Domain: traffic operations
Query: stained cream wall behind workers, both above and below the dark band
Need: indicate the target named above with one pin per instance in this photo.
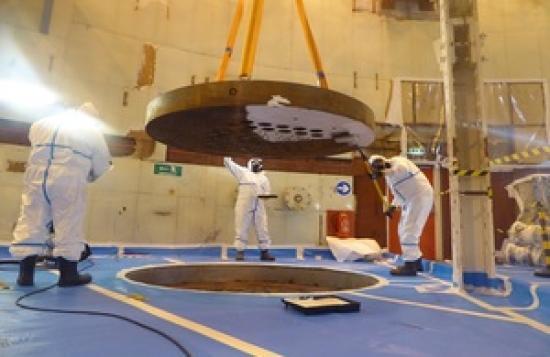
(93, 52)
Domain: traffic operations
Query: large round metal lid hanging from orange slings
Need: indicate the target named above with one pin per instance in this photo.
(260, 118)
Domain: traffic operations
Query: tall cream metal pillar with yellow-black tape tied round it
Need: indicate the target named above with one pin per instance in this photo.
(471, 210)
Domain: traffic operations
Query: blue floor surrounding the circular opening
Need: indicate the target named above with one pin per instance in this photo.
(422, 316)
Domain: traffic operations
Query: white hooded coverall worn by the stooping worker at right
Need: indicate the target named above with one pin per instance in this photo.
(413, 192)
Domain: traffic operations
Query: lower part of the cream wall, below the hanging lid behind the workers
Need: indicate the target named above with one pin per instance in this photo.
(131, 204)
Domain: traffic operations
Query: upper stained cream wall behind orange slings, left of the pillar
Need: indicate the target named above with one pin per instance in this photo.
(94, 47)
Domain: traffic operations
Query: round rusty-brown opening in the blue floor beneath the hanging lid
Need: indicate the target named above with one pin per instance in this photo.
(250, 278)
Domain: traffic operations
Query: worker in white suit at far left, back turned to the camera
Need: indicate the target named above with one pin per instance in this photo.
(68, 151)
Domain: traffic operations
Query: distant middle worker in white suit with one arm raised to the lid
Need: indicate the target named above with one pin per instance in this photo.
(249, 207)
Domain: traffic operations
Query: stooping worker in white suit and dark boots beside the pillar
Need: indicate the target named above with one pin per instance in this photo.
(414, 194)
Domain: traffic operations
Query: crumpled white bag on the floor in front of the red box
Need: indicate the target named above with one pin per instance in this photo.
(351, 249)
